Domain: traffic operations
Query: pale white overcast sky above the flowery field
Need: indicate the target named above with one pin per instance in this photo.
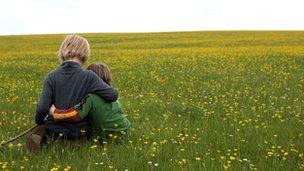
(78, 16)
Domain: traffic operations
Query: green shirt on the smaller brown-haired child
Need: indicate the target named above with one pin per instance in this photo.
(104, 116)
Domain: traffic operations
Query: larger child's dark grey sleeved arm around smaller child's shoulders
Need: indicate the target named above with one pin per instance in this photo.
(100, 88)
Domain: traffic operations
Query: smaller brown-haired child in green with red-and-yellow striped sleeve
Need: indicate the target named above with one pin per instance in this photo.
(107, 119)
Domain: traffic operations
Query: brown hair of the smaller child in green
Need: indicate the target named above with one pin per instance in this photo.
(103, 71)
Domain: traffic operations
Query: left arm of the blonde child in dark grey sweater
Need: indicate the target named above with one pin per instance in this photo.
(45, 101)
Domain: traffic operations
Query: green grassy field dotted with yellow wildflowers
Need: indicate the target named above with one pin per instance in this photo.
(196, 100)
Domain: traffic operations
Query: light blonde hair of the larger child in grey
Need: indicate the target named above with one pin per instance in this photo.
(74, 46)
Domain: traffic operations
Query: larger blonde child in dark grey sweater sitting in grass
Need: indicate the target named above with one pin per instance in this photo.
(65, 87)
